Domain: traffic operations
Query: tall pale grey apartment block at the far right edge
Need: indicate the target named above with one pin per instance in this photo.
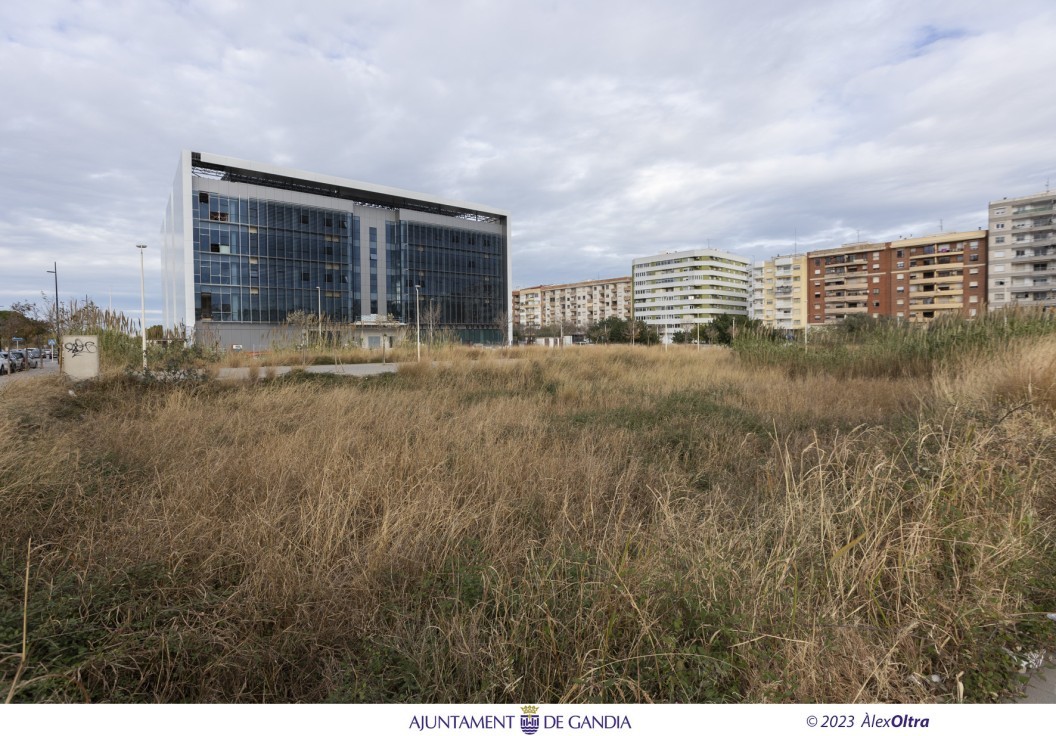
(1023, 252)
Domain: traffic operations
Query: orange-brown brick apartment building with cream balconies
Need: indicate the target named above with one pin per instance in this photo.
(915, 279)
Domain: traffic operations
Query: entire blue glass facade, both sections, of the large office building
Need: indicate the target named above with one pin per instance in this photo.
(258, 261)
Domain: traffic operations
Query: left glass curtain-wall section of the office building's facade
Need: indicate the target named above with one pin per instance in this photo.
(257, 261)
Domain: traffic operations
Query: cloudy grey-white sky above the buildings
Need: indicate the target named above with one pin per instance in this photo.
(610, 130)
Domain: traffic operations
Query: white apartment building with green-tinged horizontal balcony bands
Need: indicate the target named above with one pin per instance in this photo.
(676, 291)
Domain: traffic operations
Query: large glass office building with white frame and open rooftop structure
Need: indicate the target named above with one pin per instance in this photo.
(246, 246)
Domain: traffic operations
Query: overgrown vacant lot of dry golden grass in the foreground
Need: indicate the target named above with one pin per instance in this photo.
(583, 525)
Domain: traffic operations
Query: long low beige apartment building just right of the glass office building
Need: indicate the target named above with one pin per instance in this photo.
(582, 304)
